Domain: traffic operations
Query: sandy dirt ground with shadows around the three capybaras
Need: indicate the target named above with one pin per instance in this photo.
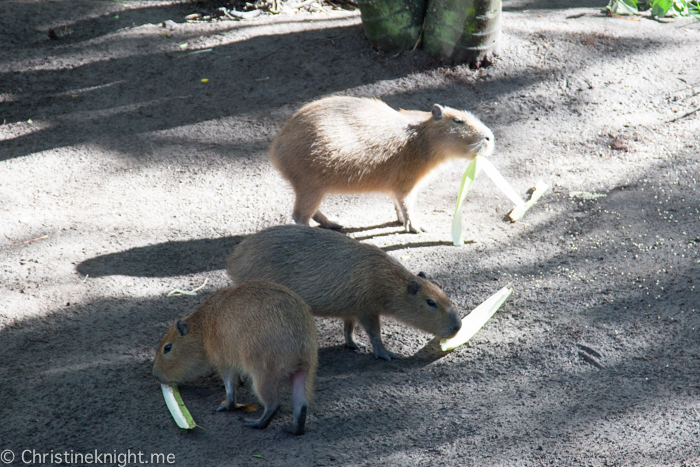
(123, 176)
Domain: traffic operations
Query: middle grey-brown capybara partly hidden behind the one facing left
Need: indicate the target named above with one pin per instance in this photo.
(343, 278)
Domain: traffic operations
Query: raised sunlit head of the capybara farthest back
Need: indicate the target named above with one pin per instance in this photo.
(460, 134)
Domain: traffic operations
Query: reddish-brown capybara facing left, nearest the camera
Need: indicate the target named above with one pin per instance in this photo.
(257, 329)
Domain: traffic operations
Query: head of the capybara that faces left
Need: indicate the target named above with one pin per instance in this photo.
(180, 356)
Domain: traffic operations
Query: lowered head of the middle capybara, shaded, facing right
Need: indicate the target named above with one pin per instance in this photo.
(425, 306)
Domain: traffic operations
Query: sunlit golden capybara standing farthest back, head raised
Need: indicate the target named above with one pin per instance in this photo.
(358, 145)
